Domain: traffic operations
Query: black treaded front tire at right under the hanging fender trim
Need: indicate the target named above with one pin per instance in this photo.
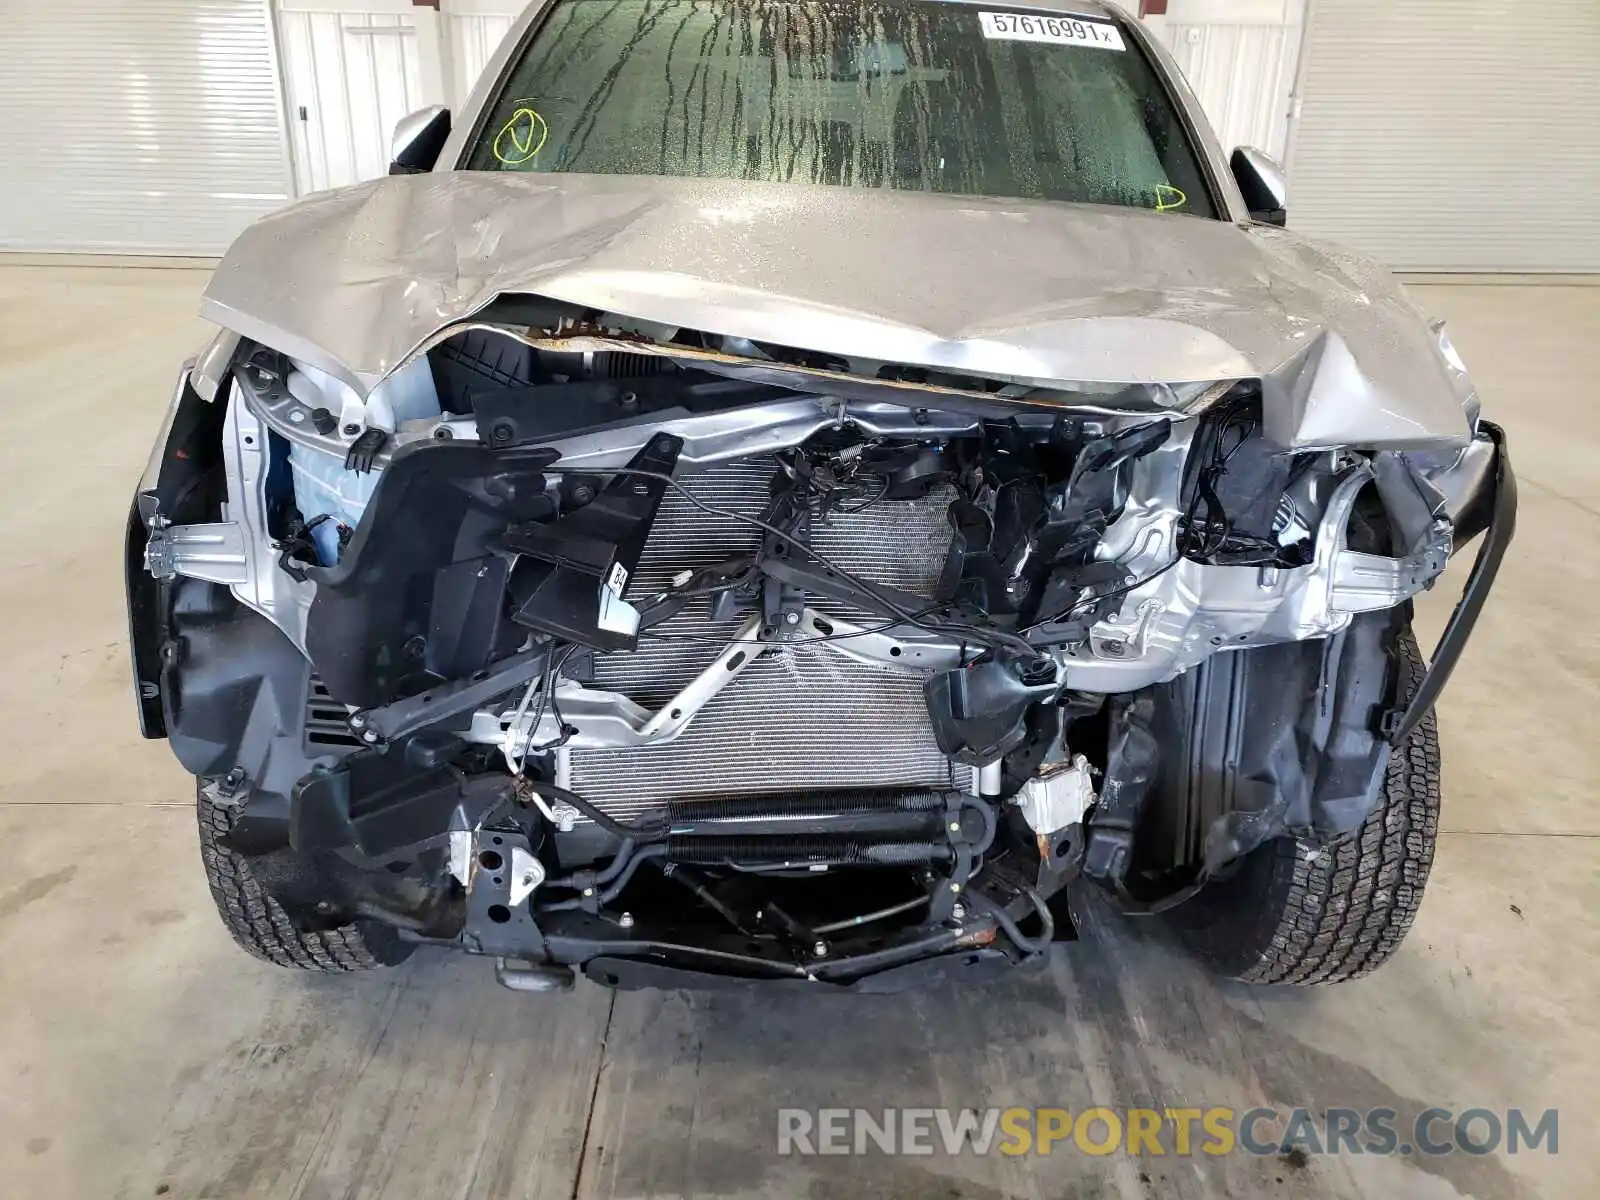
(1303, 914)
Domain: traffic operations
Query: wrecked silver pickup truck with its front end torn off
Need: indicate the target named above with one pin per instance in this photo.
(786, 492)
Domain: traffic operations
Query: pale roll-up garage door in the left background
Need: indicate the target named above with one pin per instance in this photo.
(138, 126)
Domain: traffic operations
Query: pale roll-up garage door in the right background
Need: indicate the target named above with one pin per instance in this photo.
(1454, 135)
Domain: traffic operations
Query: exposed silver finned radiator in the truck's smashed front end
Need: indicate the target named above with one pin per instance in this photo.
(799, 719)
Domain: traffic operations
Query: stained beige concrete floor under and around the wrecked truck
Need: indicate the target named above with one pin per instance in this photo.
(145, 1055)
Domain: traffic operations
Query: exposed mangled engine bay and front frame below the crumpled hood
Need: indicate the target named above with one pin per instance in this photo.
(610, 652)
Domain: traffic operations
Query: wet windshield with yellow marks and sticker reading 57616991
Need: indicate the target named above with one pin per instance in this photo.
(911, 97)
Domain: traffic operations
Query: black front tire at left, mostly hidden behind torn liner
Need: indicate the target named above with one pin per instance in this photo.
(265, 929)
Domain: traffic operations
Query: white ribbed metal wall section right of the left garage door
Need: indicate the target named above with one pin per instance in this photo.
(350, 79)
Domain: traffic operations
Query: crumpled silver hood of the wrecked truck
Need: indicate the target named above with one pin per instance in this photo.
(354, 281)
